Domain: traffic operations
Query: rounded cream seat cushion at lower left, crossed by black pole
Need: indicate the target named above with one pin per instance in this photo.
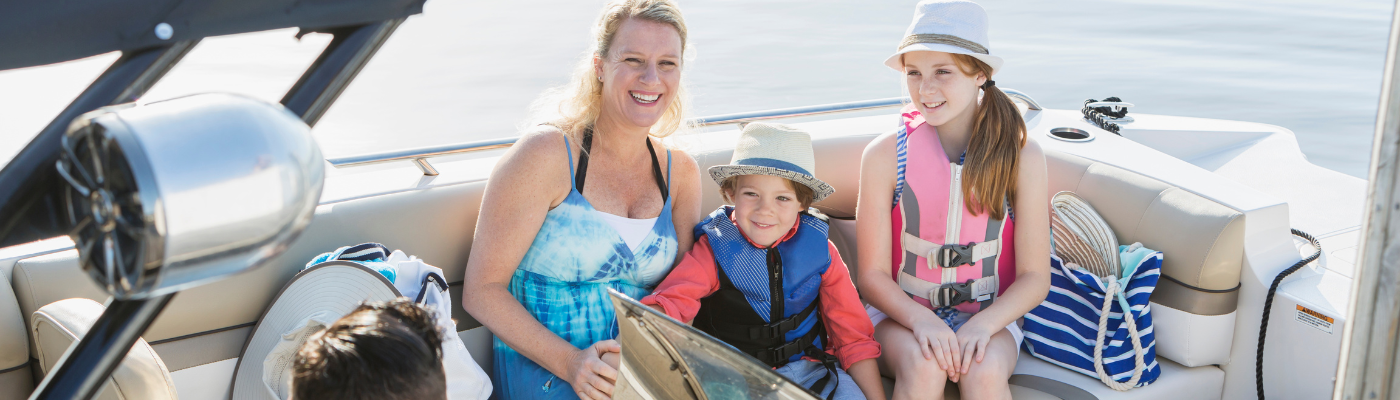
(59, 325)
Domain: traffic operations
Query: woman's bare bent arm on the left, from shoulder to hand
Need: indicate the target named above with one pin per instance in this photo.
(510, 217)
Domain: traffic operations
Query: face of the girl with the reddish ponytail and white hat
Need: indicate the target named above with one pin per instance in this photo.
(940, 89)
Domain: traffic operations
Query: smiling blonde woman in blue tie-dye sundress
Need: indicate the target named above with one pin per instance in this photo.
(586, 203)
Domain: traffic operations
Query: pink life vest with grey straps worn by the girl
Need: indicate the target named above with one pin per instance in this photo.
(933, 229)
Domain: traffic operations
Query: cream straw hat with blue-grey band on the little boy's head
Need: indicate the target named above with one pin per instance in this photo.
(779, 150)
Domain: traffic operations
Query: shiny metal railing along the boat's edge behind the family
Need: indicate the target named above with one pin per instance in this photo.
(421, 156)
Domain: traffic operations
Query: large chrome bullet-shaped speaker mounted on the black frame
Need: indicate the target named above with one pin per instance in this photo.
(183, 192)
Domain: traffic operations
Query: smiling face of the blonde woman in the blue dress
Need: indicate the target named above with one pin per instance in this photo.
(640, 73)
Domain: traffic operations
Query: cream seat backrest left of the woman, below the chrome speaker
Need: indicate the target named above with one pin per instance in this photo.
(212, 322)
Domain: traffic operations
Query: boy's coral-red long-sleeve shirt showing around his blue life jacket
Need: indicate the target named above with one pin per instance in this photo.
(850, 335)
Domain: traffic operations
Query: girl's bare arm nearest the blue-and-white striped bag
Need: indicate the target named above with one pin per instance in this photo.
(1032, 247)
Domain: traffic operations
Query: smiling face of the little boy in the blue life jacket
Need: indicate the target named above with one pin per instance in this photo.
(765, 208)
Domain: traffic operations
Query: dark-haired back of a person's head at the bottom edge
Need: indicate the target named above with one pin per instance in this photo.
(381, 350)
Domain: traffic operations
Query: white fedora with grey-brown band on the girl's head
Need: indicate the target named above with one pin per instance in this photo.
(951, 27)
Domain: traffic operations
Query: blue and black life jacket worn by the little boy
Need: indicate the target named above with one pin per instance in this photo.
(768, 300)
